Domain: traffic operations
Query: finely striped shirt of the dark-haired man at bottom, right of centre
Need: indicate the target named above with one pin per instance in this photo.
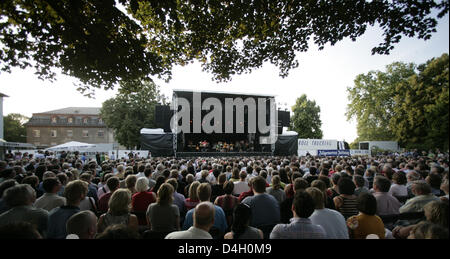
(298, 228)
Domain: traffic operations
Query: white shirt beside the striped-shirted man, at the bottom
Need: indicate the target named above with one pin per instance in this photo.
(332, 222)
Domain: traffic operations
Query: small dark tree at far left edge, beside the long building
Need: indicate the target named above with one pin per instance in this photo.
(14, 129)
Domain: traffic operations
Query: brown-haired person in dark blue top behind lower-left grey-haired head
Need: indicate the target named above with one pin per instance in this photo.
(74, 192)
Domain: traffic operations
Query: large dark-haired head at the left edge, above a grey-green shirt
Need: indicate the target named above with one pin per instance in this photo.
(19, 195)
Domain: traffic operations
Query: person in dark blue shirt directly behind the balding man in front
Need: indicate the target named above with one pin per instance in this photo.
(204, 194)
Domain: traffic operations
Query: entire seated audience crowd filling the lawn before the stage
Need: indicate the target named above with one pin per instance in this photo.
(395, 196)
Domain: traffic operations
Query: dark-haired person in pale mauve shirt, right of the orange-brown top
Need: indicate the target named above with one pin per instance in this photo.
(386, 203)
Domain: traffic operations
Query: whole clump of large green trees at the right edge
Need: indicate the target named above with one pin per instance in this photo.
(407, 103)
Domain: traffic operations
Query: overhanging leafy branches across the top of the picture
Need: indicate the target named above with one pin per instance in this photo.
(101, 45)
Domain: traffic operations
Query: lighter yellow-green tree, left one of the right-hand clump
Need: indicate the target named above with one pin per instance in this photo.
(371, 100)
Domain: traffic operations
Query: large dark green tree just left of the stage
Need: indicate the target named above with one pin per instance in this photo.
(129, 112)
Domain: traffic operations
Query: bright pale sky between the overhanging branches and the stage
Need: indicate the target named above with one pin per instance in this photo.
(323, 76)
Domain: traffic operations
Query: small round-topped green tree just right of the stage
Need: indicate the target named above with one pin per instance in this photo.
(306, 119)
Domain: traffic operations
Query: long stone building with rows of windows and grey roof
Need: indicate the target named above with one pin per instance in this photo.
(82, 124)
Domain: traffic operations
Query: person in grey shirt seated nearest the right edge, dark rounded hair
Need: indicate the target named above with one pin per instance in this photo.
(423, 195)
